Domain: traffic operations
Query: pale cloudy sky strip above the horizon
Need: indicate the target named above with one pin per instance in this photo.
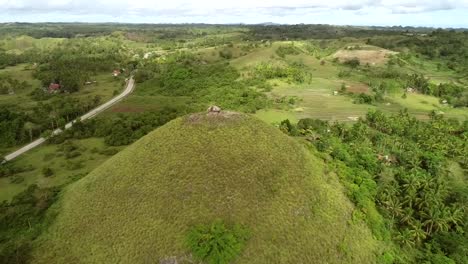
(435, 13)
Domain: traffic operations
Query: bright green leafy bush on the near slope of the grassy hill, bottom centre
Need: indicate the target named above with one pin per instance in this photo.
(215, 243)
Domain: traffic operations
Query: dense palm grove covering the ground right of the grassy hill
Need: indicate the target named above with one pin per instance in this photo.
(396, 170)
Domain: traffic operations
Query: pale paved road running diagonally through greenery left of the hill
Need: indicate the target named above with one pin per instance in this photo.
(90, 114)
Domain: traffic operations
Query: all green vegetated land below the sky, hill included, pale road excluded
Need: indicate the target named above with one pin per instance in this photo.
(379, 174)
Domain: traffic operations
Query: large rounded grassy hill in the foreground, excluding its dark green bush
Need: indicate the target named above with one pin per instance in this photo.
(138, 206)
